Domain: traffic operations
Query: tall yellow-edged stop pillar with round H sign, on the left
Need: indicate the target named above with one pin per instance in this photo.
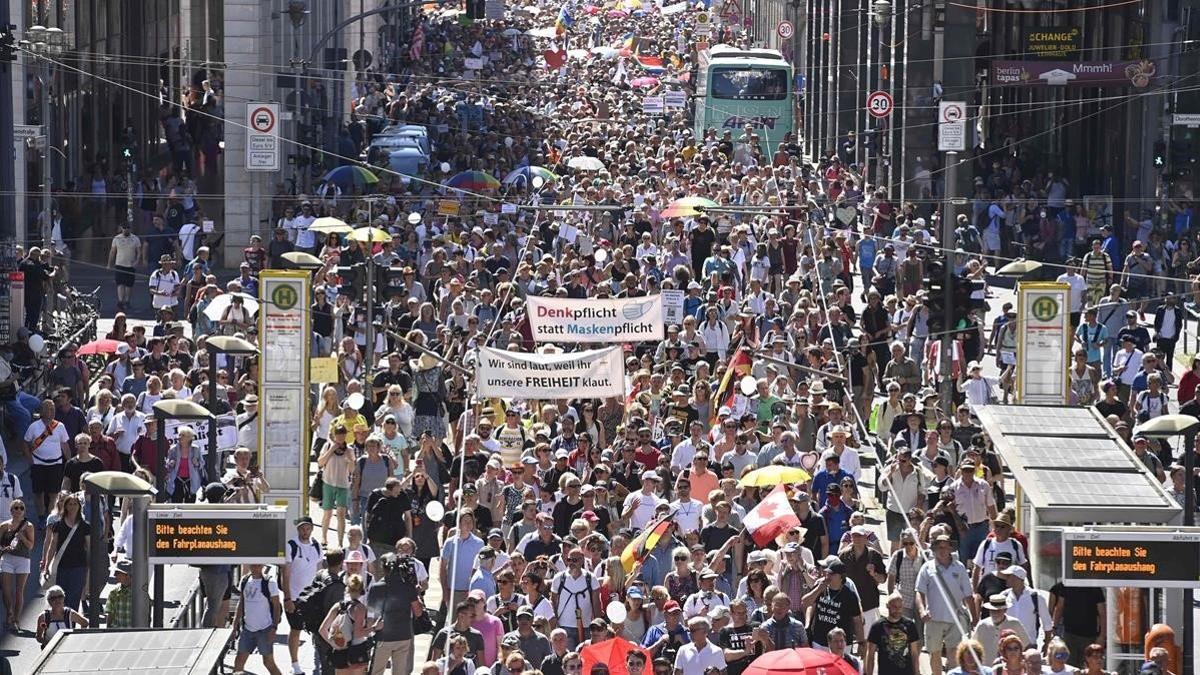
(286, 338)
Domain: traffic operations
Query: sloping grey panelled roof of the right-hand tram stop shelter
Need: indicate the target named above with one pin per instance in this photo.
(1075, 469)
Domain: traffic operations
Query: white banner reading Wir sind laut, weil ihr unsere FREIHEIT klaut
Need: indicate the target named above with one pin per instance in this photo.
(593, 374)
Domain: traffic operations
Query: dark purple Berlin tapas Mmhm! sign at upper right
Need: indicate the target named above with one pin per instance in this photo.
(1075, 74)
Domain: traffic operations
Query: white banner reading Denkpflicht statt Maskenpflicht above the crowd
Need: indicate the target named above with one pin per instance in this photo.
(619, 320)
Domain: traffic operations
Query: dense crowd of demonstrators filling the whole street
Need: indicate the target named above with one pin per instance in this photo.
(805, 343)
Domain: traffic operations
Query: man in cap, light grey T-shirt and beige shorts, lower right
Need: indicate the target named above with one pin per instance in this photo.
(940, 605)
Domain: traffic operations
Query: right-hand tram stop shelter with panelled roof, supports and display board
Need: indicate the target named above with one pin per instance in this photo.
(1097, 517)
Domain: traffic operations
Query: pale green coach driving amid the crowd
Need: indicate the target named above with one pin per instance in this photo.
(746, 87)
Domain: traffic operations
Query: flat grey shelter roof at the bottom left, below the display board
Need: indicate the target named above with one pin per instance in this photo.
(183, 652)
